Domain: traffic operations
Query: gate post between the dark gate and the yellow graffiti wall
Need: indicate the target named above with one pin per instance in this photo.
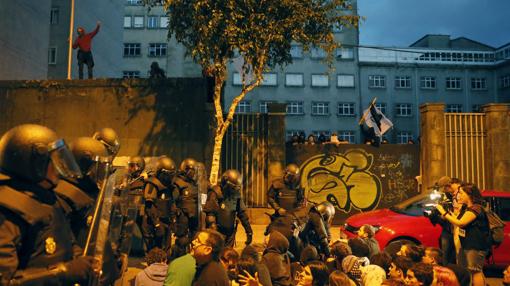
(276, 140)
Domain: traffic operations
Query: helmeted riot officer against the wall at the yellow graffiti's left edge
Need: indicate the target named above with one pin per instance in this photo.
(286, 194)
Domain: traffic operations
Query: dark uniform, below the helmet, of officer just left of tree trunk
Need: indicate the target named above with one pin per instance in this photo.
(186, 201)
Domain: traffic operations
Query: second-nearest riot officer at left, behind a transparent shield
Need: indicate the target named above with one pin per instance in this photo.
(80, 195)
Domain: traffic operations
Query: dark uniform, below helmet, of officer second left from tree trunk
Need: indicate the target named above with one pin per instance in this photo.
(159, 219)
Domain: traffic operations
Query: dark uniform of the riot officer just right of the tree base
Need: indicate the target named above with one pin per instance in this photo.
(222, 208)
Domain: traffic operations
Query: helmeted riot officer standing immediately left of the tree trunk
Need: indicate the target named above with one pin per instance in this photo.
(186, 199)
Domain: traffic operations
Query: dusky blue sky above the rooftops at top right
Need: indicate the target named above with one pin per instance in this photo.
(401, 22)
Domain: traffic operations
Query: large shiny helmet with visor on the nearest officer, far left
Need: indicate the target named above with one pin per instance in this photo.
(26, 152)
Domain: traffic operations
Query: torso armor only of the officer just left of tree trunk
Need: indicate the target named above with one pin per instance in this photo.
(187, 200)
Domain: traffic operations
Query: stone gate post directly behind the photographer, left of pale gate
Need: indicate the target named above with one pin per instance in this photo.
(432, 143)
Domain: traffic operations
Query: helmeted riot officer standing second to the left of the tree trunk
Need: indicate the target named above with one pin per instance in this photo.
(159, 205)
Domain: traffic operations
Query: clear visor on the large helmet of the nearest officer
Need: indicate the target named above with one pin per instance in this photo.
(63, 160)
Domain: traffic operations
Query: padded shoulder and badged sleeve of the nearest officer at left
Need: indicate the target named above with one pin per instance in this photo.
(47, 240)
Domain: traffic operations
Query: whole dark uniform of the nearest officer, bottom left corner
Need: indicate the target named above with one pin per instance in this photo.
(34, 233)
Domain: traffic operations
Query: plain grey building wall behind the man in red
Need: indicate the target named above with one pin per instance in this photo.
(106, 45)
